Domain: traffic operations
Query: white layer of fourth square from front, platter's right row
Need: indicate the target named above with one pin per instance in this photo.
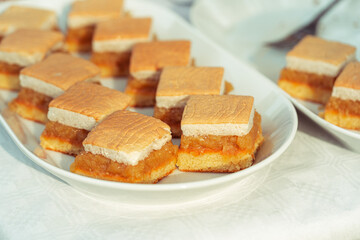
(117, 45)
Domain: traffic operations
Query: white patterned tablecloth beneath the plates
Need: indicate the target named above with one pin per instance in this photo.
(312, 192)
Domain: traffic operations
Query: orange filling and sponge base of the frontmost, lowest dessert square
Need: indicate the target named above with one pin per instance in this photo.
(158, 164)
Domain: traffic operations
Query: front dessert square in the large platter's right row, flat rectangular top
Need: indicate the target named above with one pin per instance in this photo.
(220, 134)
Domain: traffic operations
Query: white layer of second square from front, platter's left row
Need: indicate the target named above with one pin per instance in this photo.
(71, 119)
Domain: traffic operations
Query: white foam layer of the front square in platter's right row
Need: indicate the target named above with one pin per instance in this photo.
(224, 129)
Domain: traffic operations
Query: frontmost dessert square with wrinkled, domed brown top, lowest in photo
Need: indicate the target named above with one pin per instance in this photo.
(127, 147)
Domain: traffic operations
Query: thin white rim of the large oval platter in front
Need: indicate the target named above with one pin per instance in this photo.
(169, 186)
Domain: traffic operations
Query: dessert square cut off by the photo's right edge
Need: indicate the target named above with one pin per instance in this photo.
(343, 108)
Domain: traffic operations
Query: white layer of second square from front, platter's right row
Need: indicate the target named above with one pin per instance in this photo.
(179, 101)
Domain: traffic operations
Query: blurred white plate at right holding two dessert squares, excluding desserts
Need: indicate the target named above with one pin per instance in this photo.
(248, 43)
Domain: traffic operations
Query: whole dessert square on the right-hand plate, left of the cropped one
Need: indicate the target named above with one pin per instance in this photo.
(312, 67)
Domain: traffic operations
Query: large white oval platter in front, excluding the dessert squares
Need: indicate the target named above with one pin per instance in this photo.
(279, 122)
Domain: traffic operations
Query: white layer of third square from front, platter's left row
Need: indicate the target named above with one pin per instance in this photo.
(44, 87)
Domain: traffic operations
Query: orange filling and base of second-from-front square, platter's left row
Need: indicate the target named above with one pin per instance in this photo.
(62, 138)
